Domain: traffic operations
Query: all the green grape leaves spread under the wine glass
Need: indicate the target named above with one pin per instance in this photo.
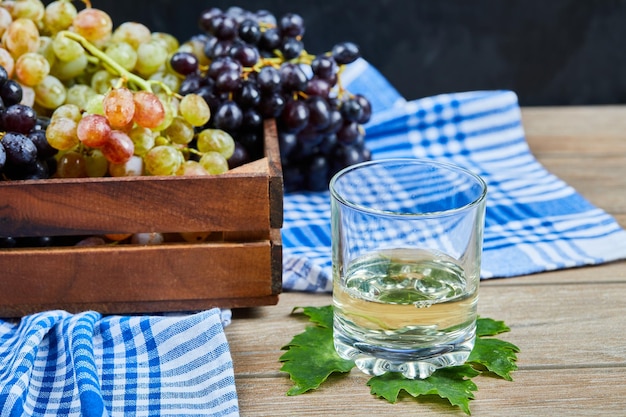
(310, 358)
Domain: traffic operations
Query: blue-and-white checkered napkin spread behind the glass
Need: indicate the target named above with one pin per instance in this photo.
(535, 222)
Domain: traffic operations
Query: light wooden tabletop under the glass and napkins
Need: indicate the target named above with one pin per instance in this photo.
(570, 325)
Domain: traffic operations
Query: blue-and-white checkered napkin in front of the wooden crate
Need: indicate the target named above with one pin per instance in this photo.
(59, 364)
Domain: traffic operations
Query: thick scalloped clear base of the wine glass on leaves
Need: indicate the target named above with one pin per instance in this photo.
(417, 363)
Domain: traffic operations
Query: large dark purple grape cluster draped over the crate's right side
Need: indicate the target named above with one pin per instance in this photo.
(253, 66)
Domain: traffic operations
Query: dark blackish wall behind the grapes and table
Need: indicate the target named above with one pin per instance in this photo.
(550, 52)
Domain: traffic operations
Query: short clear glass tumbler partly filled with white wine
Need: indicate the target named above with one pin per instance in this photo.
(407, 240)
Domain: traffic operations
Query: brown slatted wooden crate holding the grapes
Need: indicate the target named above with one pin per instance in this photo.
(242, 268)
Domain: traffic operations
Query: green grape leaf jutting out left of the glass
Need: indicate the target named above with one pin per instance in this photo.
(311, 357)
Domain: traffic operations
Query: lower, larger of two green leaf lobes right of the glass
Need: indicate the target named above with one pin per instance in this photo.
(495, 355)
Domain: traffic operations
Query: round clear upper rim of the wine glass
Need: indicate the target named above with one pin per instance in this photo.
(417, 161)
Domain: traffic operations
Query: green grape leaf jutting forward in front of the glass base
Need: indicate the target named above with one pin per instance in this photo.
(453, 384)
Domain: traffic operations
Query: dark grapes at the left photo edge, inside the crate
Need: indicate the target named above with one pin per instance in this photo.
(24, 150)
